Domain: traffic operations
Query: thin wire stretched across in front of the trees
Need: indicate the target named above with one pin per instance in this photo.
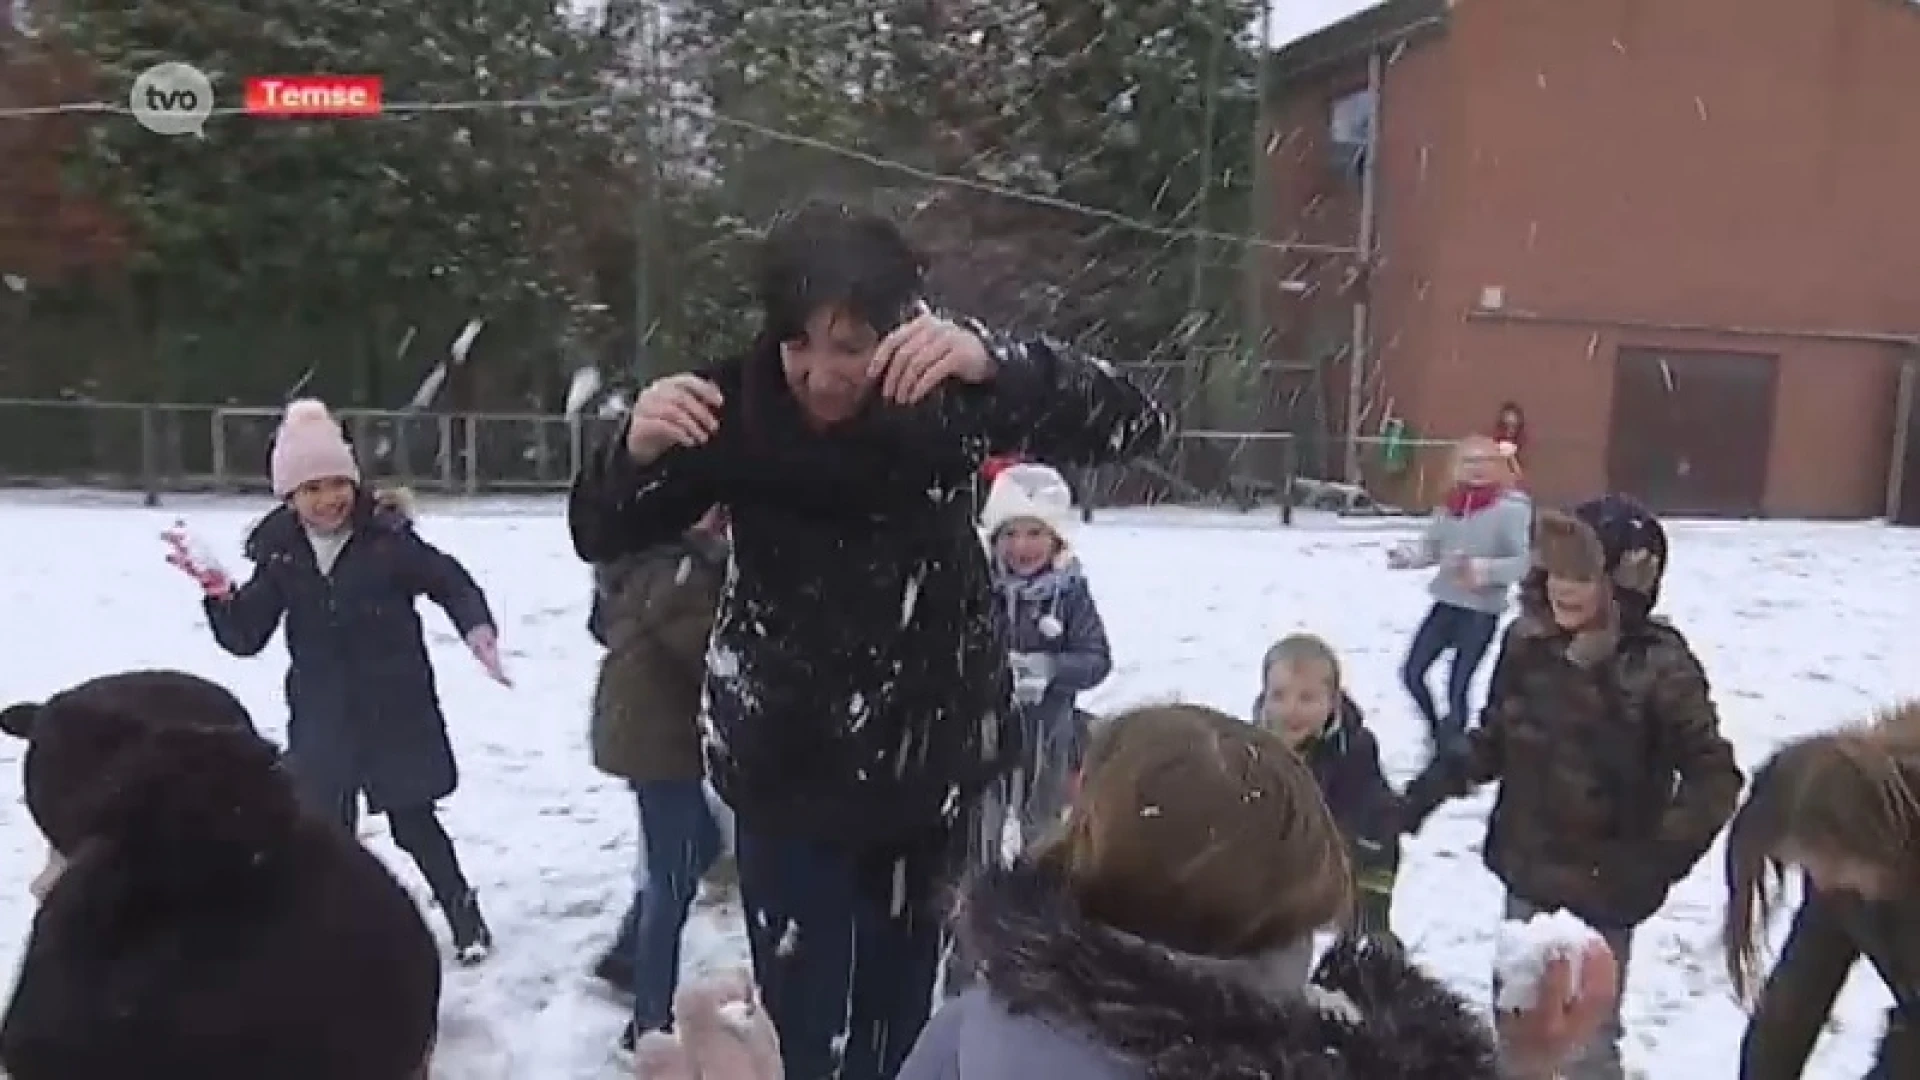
(777, 135)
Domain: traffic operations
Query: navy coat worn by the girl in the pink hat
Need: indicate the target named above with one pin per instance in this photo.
(364, 708)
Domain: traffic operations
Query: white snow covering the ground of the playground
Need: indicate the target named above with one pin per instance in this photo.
(1798, 626)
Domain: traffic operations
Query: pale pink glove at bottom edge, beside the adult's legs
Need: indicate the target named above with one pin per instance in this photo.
(721, 1033)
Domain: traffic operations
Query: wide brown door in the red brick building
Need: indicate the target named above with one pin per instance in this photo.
(1692, 430)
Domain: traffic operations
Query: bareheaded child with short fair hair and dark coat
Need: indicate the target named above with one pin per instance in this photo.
(1303, 702)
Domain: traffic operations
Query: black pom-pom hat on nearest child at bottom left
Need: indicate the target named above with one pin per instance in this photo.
(206, 927)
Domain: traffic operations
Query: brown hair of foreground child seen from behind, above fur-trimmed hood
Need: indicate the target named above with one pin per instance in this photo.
(1203, 835)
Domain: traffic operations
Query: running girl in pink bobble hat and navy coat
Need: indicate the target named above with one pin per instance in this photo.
(341, 570)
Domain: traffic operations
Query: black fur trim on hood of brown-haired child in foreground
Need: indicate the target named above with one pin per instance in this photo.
(1366, 1016)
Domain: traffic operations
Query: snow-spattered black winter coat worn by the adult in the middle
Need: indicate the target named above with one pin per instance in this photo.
(859, 681)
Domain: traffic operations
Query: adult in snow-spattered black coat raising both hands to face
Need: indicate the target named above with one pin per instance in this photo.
(859, 677)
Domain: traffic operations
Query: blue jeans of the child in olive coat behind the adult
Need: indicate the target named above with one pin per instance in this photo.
(683, 843)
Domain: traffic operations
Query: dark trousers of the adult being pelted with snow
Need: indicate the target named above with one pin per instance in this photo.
(846, 945)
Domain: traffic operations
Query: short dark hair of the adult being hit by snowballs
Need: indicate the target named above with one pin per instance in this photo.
(832, 257)
